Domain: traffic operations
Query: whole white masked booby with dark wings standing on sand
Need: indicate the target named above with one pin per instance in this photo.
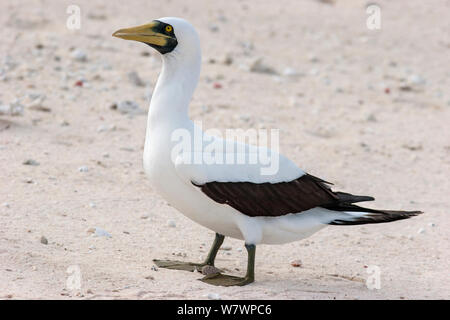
(233, 199)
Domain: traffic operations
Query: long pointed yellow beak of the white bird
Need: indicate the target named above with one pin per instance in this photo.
(147, 33)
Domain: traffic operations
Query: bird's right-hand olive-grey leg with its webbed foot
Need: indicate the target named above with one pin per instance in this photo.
(227, 281)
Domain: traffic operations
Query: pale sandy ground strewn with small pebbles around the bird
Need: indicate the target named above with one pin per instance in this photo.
(366, 109)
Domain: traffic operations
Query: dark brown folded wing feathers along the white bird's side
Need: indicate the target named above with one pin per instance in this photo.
(278, 199)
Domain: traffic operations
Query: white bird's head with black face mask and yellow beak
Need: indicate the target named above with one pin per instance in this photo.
(166, 35)
